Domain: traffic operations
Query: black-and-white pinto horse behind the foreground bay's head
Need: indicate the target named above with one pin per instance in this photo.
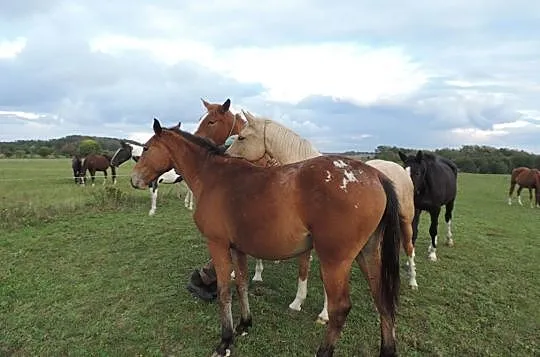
(133, 151)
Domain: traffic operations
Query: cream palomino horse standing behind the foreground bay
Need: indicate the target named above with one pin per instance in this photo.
(264, 136)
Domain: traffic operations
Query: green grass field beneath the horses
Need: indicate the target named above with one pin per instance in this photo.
(84, 271)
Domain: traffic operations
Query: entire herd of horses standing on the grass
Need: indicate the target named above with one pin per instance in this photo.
(291, 200)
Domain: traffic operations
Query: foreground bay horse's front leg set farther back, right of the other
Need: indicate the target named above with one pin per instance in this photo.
(240, 265)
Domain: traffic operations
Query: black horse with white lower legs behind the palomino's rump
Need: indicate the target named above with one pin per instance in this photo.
(435, 185)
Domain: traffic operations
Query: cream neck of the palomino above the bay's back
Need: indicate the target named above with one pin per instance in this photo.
(285, 146)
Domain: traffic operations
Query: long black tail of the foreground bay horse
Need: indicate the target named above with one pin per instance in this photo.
(390, 224)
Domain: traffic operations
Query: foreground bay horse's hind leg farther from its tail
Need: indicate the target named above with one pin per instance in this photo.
(336, 284)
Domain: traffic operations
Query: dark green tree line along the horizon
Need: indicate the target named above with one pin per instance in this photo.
(469, 158)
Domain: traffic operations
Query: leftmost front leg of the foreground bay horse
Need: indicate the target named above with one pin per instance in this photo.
(221, 256)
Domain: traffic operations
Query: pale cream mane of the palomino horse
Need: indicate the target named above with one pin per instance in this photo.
(291, 145)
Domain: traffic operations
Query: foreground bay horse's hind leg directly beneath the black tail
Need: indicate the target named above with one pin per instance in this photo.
(370, 264)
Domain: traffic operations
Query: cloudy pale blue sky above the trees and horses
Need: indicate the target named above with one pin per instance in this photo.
(348, 75)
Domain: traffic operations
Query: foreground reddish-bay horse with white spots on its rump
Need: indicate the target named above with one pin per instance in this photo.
(353, 216)
